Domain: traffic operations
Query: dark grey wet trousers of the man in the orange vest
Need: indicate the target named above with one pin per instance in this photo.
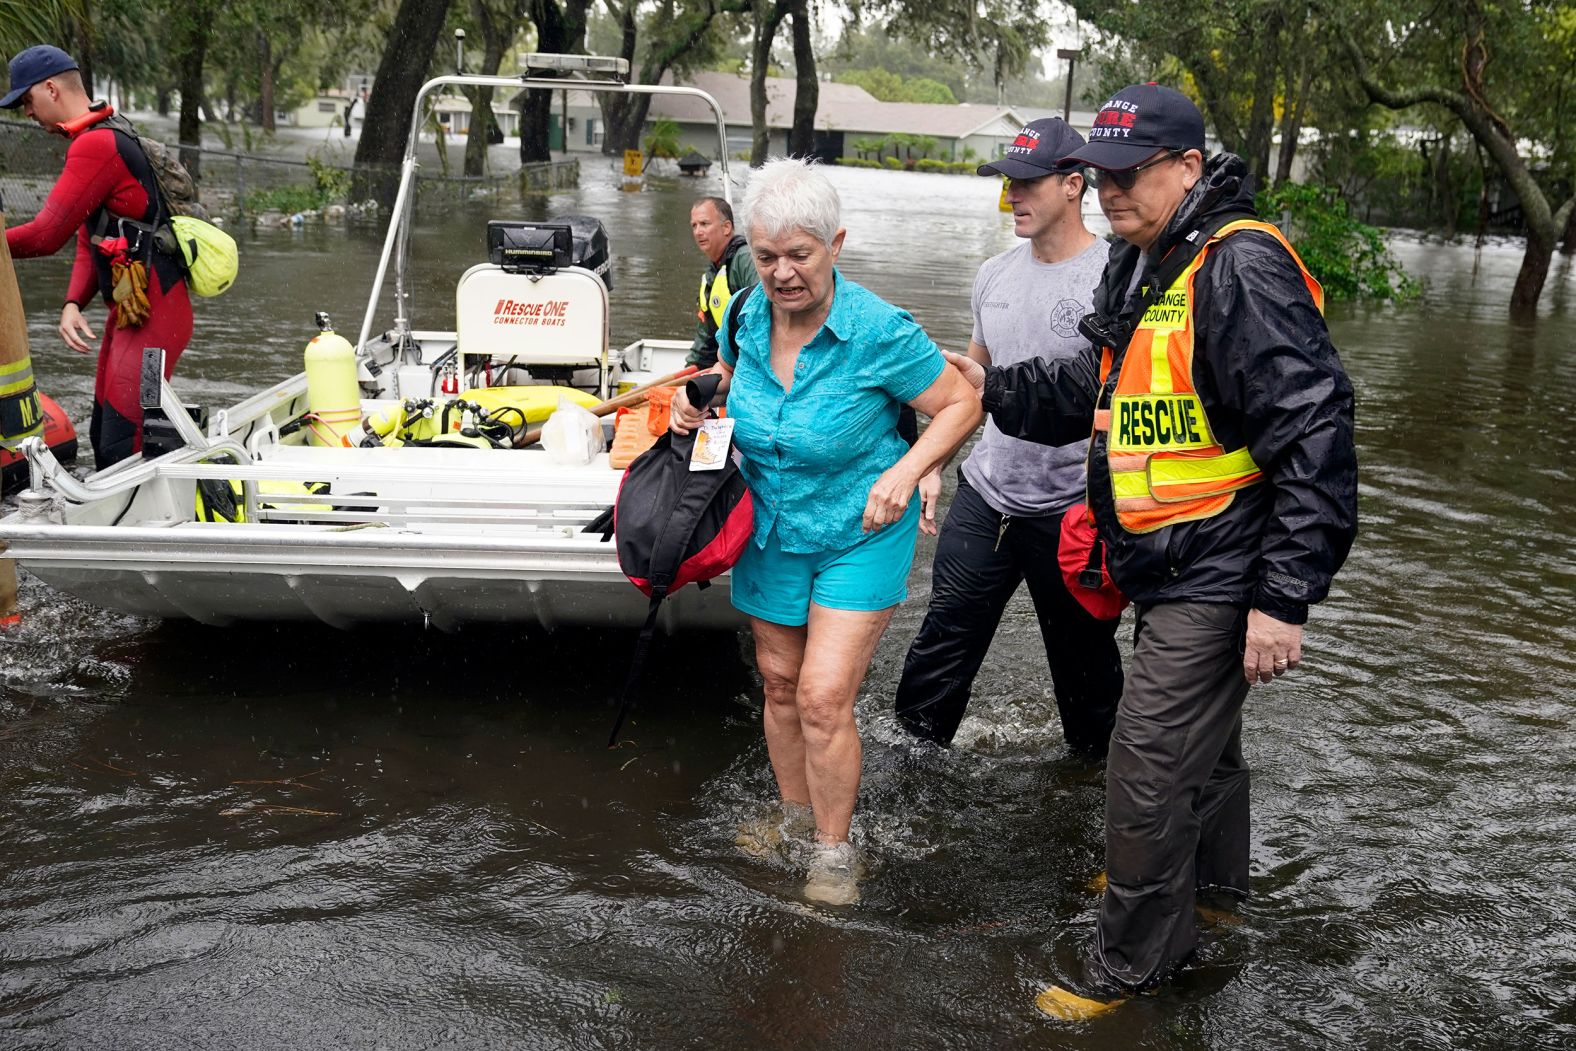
(1176, 812)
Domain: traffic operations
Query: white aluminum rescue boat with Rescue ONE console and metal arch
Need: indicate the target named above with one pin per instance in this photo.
(283, 511)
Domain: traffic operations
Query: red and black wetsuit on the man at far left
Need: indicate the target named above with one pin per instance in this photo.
(108, 177)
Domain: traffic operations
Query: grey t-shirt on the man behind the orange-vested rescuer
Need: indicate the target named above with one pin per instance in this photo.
(1027, 310)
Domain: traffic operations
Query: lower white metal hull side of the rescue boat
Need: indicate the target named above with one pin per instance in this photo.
(278, 574)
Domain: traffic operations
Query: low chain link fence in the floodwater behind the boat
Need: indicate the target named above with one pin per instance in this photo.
(250, 187)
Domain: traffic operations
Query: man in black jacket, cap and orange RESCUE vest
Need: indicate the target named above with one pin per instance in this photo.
(1224, 486)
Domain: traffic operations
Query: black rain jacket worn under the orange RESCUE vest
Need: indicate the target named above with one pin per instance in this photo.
(1269, 379)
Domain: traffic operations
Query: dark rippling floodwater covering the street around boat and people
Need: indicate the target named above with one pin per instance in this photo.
(272, 837)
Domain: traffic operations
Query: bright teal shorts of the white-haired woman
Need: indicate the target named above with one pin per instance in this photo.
(779, 585)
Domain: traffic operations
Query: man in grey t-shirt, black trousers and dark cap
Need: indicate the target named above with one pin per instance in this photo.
(1005, 524)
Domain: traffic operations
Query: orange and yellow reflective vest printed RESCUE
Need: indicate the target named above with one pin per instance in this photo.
(1165, 464)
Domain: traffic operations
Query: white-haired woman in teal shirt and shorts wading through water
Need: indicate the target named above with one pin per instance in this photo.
(816, 377)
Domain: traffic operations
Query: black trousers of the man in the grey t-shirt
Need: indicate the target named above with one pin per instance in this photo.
(981, 560)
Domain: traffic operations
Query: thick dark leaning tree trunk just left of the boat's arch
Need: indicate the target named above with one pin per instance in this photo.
(385, 127)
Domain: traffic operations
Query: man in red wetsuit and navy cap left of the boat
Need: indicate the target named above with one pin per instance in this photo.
(106, 179)
